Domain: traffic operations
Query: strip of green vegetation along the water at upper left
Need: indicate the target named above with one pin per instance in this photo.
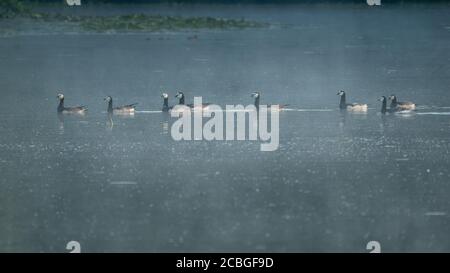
(124, 23)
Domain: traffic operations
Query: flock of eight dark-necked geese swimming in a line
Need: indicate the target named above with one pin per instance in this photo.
(395, 106)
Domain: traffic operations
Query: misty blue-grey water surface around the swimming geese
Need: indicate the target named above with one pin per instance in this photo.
(337, 181)
